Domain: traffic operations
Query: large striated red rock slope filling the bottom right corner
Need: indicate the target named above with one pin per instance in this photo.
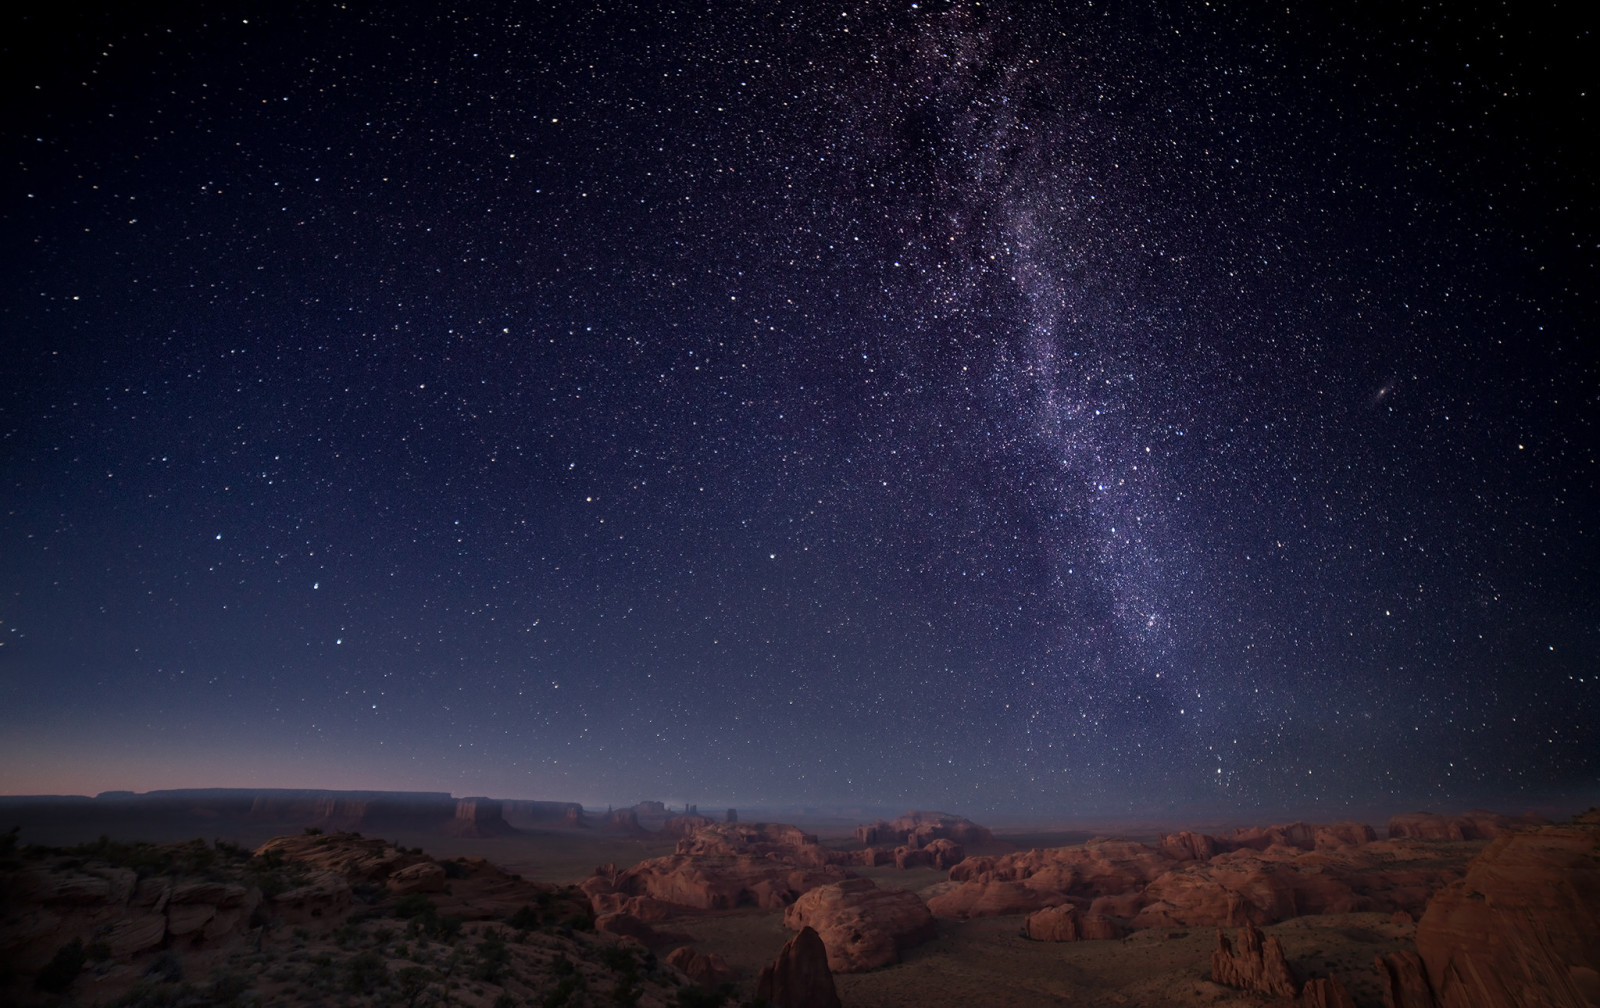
(1524, 926)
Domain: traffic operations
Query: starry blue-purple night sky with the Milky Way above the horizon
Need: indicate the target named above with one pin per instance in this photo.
(1132, 410)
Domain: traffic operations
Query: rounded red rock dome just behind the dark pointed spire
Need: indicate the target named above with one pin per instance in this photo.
(862, 926)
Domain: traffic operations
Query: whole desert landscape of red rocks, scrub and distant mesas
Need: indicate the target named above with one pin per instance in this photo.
(498, 905)
